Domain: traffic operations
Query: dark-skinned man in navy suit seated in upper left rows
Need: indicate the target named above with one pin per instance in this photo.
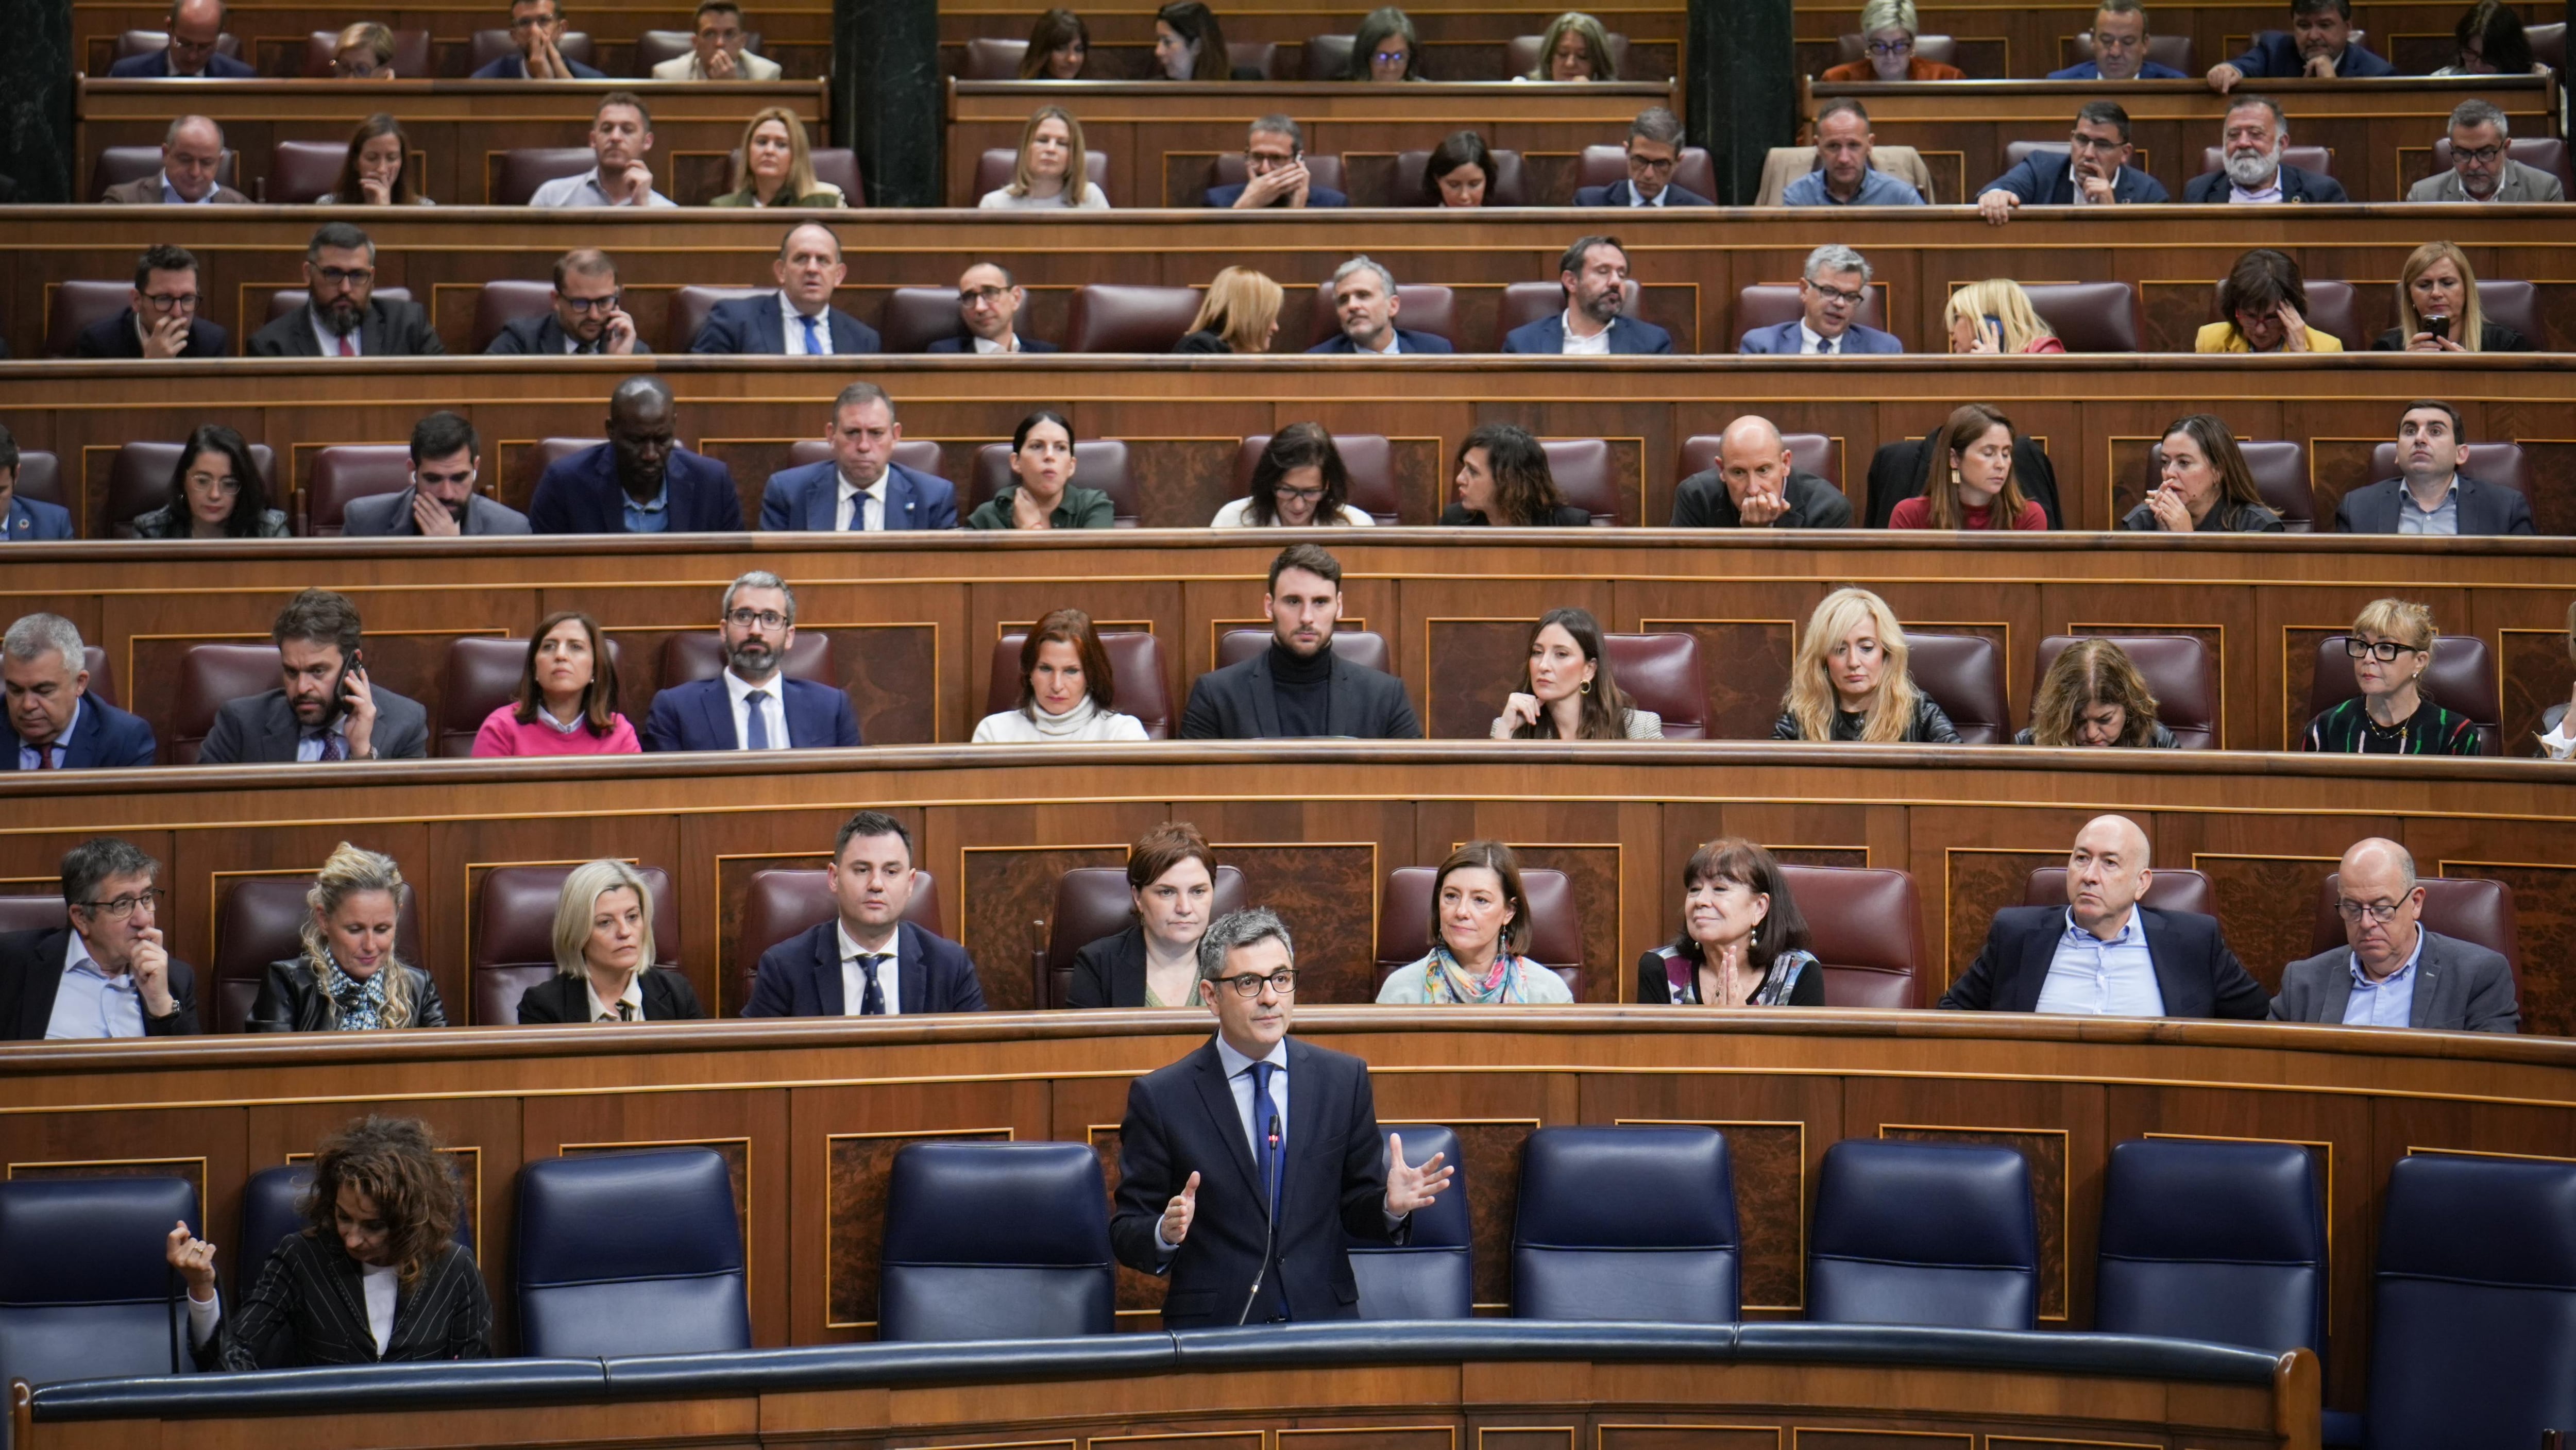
(640, 480)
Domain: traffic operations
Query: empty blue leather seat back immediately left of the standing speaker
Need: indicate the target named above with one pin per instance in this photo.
(998, 1243)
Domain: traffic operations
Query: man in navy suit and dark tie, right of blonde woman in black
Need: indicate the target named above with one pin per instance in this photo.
(867, 962)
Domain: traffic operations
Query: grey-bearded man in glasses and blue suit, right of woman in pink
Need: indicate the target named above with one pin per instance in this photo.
(753, 704)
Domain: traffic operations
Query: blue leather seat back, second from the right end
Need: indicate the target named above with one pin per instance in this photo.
(2222, 1243)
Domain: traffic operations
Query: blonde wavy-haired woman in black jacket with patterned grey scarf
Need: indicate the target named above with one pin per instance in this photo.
(349, 977)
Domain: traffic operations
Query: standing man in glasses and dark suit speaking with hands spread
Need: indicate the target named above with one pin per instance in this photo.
(1245, 1163)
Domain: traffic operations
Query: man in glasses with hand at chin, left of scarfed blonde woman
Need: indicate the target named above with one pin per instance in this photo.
(107, 975)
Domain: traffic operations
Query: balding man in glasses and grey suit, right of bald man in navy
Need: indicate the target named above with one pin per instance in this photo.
(2394, 972)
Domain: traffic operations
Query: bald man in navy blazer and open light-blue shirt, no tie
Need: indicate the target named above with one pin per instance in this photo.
(2106, 954)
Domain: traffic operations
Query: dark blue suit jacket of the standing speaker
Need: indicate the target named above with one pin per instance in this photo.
(1333, 1194)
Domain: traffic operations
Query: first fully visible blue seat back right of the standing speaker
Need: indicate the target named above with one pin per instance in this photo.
(1627, 1225)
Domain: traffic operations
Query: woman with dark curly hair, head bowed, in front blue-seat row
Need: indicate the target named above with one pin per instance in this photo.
(372, 1276)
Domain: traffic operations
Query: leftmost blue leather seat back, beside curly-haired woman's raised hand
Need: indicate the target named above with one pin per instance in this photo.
(84, 1284)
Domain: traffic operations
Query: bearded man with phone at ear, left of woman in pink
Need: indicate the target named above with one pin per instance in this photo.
(326, 710)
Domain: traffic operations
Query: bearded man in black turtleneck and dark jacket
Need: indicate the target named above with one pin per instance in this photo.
(1300, 686)
